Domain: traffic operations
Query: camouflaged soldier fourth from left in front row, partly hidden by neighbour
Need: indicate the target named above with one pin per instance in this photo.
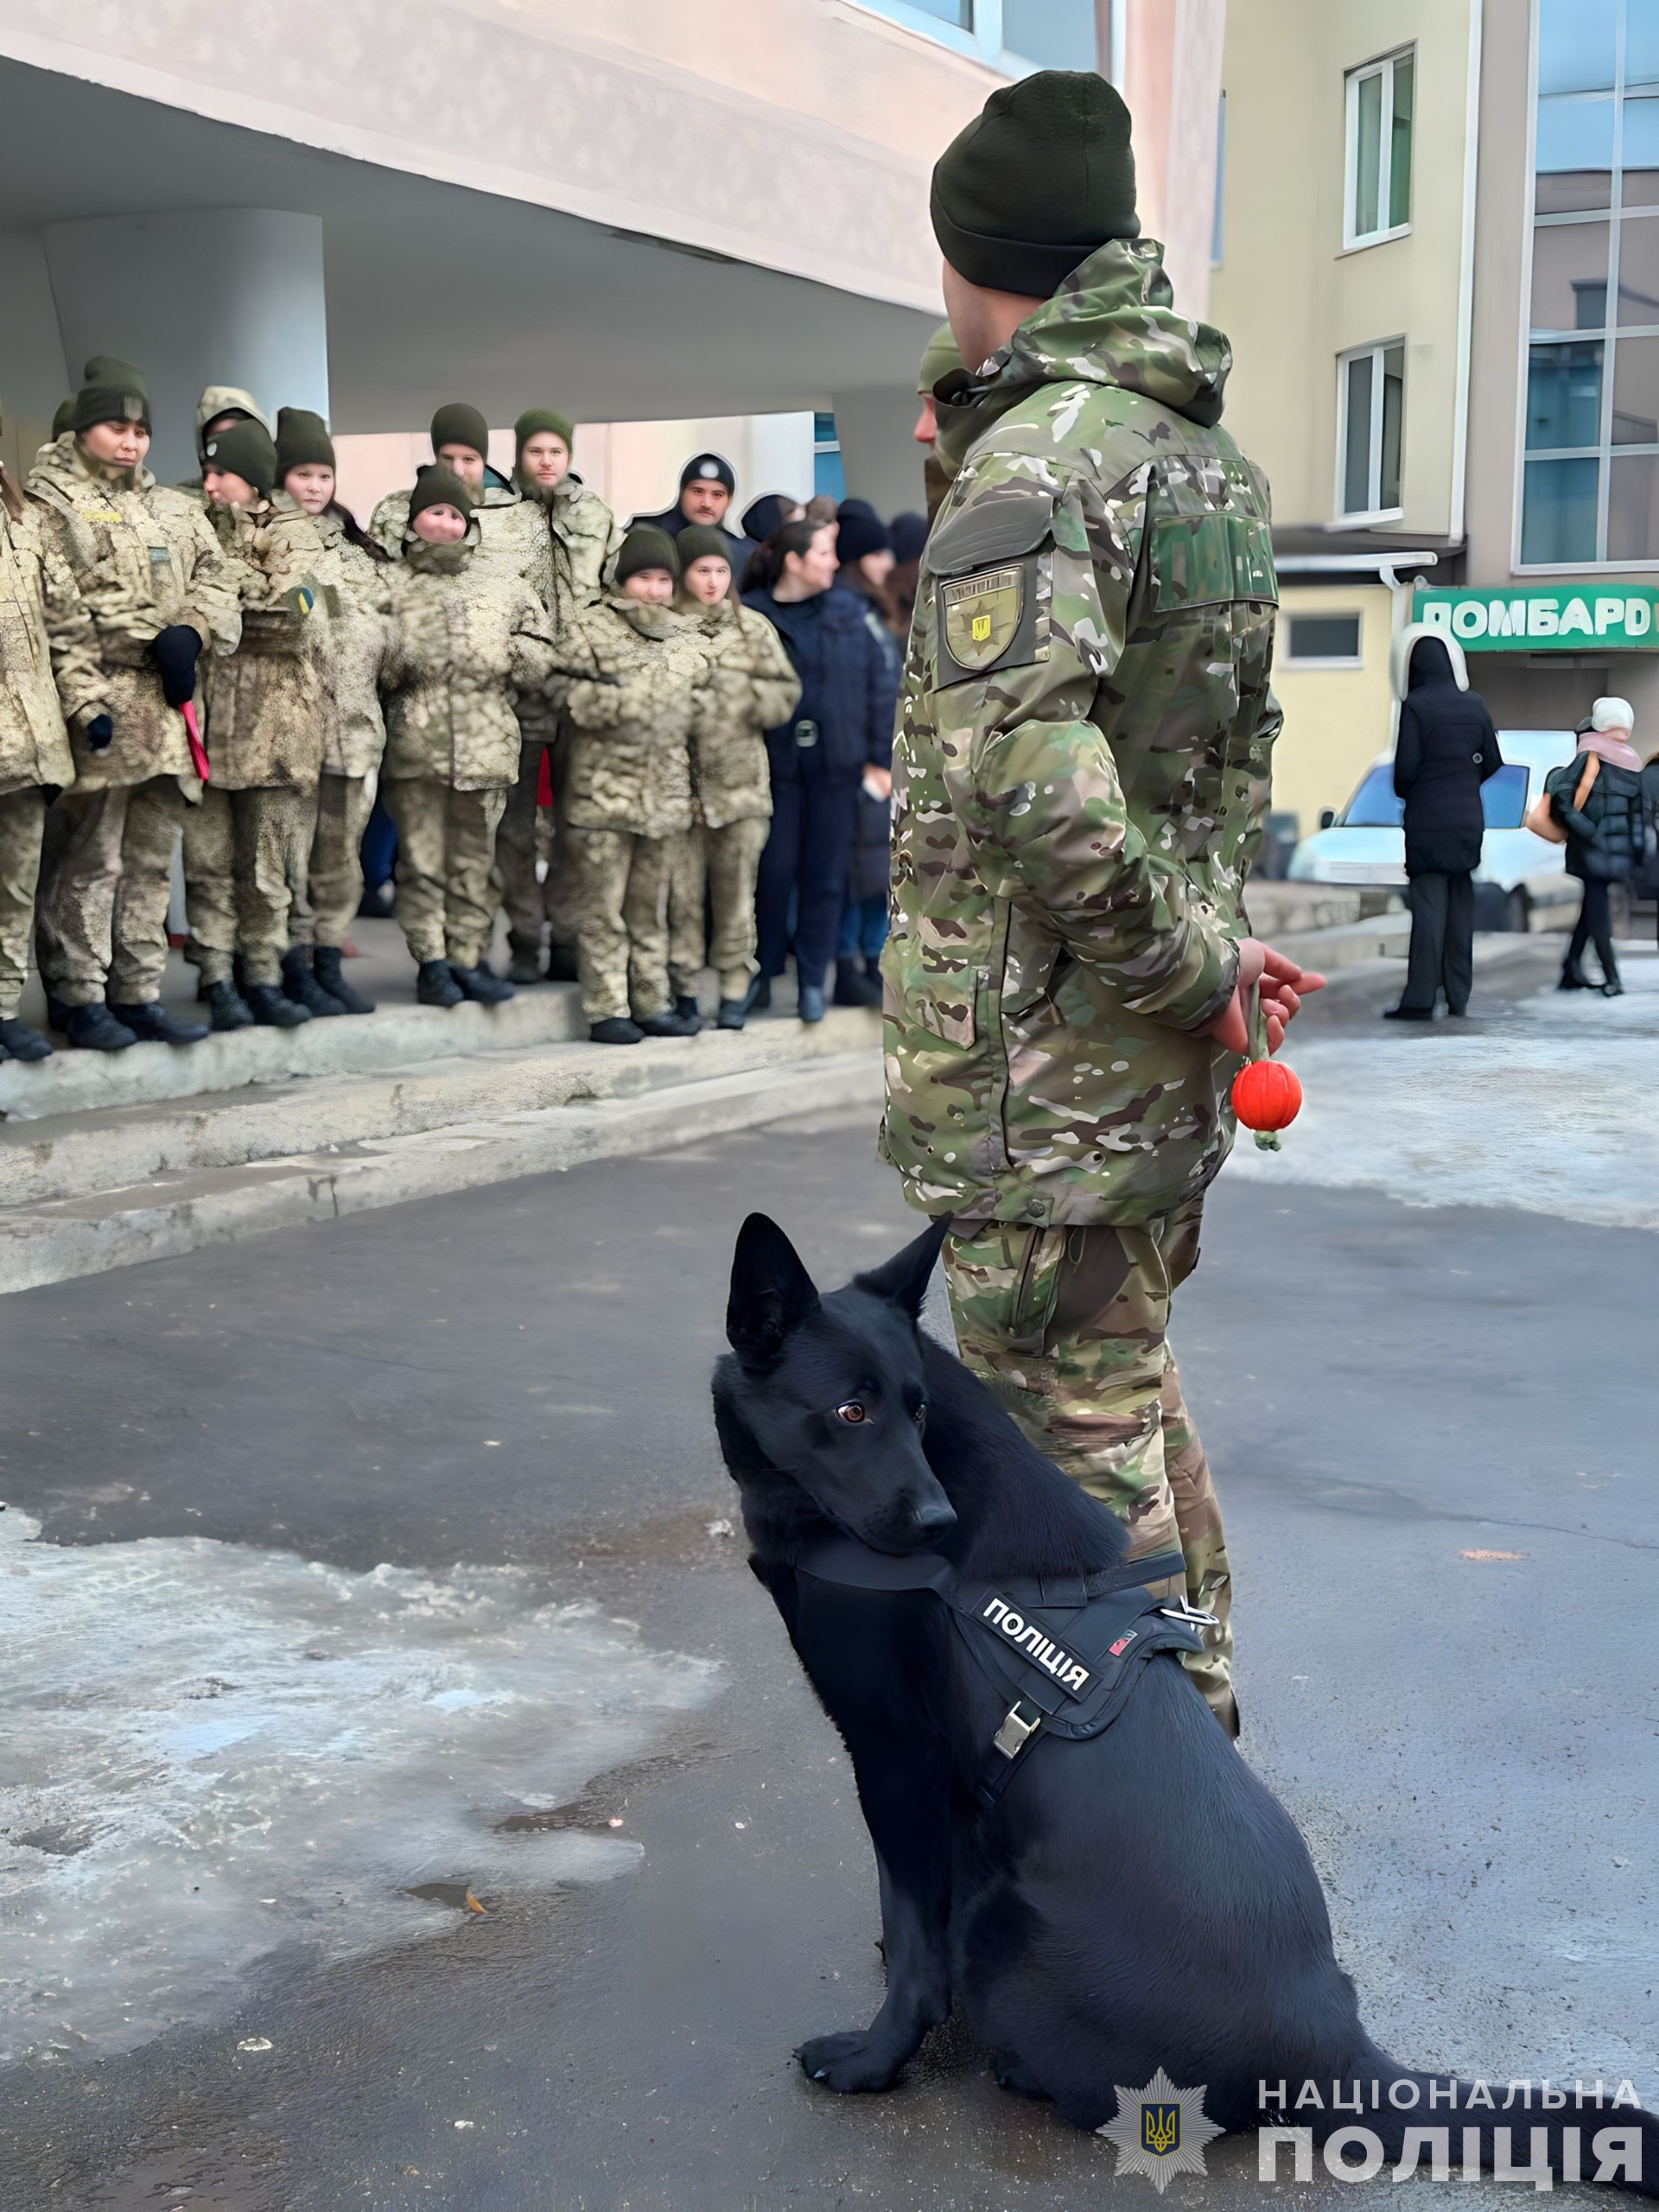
(357, 609)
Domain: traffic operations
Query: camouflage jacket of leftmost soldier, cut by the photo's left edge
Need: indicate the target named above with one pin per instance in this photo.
(34, 742)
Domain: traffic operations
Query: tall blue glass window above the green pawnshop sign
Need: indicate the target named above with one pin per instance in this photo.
(1592, 455)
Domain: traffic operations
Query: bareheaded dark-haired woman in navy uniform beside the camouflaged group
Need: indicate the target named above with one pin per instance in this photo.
(839, 733)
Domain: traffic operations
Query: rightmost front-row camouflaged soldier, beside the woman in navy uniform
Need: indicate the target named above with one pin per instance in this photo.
(751, 689)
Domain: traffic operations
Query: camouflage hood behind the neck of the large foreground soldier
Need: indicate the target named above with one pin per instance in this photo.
(1109, 324)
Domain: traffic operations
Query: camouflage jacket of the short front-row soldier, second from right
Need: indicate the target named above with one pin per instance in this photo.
(632, 689)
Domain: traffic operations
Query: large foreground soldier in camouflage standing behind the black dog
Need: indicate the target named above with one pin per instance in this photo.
(1081, 773)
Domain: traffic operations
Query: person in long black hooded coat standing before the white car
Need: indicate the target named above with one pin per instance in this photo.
(1443, 755)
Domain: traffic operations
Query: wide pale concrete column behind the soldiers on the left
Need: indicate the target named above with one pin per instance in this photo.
(218, 298)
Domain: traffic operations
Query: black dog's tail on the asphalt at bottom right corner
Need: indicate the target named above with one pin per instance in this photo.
(1521, 2131)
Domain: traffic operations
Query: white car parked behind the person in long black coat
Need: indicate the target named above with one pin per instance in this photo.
(1519, 873)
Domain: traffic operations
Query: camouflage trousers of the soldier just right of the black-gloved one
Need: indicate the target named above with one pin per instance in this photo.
(242, 851)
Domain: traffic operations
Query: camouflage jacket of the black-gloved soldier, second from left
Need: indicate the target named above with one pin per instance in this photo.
(143, 561)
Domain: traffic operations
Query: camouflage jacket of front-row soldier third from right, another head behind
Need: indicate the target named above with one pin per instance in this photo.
(466, 638)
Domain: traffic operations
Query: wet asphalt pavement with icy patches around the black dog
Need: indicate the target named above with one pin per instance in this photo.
(587, 1859)
